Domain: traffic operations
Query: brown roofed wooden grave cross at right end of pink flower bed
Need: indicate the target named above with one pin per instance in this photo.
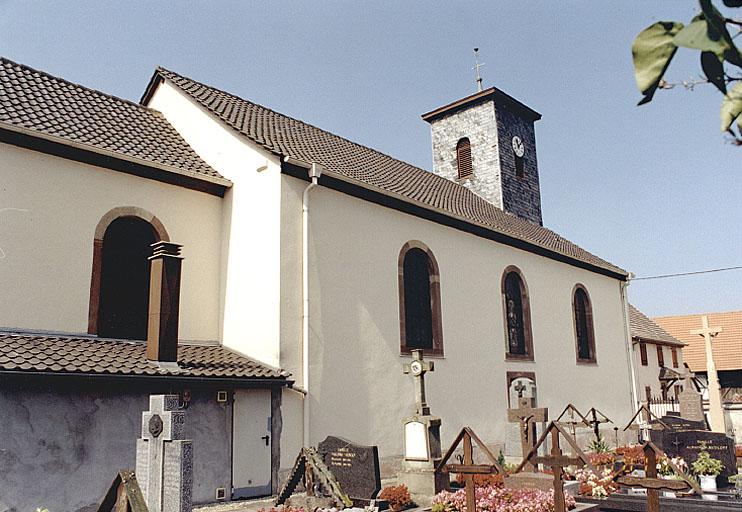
(556, 460)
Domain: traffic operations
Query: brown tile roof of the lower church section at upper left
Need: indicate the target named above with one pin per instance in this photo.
(42, 103)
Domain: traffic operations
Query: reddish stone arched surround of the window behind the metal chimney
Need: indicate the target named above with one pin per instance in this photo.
(100, 231)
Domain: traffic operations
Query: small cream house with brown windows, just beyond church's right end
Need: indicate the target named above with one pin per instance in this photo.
(658, 358)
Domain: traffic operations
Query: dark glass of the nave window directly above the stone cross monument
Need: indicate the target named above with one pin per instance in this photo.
(418, 307)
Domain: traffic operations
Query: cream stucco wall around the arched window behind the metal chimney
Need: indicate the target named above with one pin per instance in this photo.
(49, 209)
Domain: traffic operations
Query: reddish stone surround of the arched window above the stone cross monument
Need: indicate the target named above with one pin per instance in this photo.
(435, 299)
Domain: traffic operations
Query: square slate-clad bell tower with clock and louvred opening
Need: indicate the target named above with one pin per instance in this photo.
(487, 143)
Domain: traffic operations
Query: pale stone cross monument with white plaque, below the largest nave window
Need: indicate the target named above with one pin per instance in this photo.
(422, 439)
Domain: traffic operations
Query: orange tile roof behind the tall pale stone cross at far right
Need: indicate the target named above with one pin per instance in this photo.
(727, 345)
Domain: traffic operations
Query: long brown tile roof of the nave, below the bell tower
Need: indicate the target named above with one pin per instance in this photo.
(285, 136)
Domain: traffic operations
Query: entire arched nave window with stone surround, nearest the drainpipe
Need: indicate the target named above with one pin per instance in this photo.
(419, 300)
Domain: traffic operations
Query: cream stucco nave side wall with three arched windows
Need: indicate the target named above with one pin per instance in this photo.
(357, 388)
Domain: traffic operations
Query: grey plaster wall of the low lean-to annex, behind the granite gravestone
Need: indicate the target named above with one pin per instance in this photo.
(61, 446)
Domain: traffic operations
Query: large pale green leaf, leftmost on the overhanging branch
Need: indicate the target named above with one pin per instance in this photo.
(652, 51)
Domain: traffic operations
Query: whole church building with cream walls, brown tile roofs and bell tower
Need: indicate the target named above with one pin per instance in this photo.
(334, 282)
